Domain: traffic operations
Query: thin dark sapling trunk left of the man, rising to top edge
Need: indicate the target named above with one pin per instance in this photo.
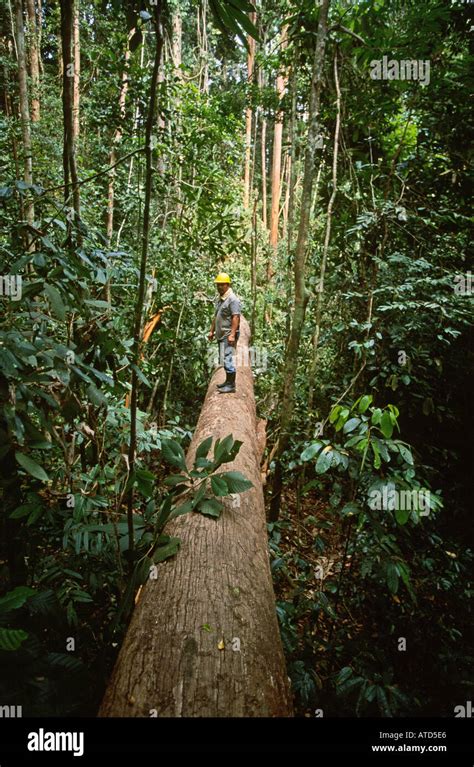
(138, 314)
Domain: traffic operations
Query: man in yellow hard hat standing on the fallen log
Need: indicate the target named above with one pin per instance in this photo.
(225, 328)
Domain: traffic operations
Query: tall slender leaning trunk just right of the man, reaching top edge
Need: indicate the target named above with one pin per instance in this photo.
(301, 294)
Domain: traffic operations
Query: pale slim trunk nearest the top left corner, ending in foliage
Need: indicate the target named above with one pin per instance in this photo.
(19, 33)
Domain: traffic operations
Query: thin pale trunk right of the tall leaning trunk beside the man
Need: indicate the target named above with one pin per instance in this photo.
(322, 272)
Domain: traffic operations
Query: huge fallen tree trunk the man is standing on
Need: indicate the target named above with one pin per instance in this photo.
(204, 639)
